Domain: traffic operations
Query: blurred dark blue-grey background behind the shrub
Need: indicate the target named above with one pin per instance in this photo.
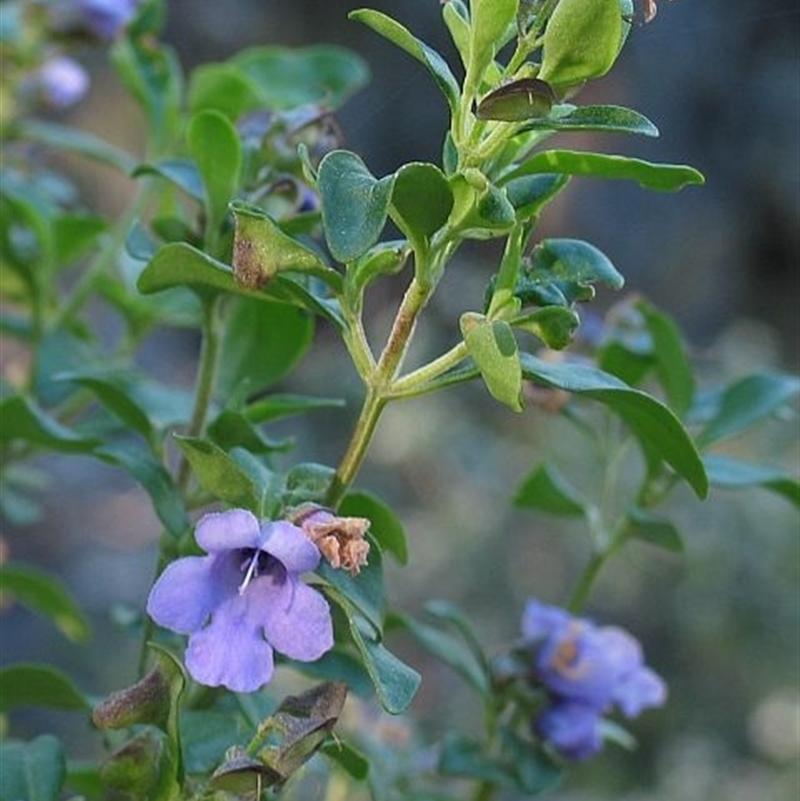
(720, 79)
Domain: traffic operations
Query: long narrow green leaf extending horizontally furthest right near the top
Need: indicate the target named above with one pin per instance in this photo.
(661, 177)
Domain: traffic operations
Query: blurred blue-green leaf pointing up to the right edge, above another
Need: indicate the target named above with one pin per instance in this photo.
(746, 403)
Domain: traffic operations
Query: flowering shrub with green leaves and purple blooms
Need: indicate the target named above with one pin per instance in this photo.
(251, 225)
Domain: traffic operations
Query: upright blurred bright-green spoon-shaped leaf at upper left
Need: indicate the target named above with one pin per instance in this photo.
(215, 147)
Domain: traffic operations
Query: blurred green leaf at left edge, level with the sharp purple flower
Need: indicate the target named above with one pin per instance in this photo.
(44, 594)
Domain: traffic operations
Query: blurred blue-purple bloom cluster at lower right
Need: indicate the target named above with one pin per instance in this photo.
(587, 670)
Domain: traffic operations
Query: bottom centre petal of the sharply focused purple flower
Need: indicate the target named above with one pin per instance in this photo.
(230, 651)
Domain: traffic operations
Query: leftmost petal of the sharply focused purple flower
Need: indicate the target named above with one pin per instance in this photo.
(187, 592)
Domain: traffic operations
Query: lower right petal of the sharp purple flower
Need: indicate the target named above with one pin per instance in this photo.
(296, 619)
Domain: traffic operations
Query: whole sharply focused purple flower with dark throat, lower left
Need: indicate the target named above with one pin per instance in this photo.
(243, 600)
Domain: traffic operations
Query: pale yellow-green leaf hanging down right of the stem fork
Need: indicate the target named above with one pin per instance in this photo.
(493, 347)
